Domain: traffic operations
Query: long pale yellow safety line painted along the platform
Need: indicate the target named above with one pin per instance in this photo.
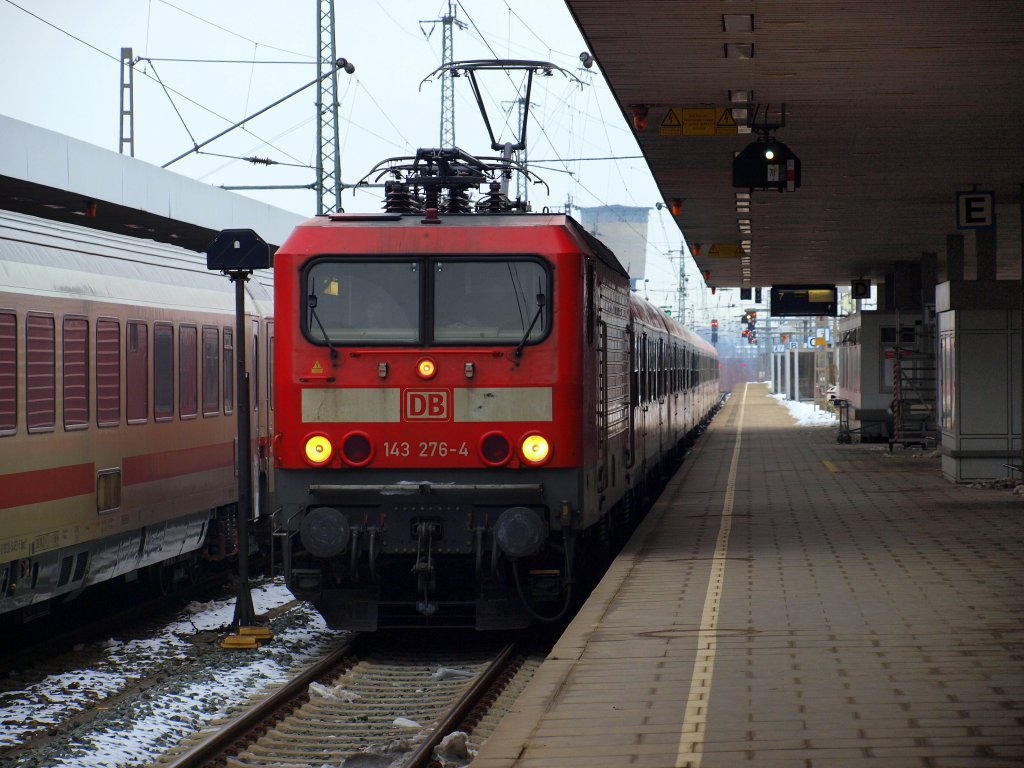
(696, 714)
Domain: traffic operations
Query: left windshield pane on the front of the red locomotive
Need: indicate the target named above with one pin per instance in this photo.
(358, 303)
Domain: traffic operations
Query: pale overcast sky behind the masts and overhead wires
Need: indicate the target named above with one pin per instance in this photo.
(199, 74)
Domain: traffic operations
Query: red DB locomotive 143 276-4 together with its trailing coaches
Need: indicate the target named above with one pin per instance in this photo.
(470, 404)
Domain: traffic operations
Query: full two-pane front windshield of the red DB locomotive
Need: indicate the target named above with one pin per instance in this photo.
(441, 302)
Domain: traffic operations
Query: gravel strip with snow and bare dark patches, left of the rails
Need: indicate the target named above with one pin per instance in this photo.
(124, 701)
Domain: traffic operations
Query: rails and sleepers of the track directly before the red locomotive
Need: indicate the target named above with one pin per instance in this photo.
(386, 705)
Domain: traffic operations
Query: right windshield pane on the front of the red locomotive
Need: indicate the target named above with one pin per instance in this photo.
(502, 302)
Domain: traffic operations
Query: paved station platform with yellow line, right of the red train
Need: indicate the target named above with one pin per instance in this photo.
(792, 602)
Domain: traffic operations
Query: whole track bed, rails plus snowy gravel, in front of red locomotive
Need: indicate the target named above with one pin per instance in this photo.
(170, 696)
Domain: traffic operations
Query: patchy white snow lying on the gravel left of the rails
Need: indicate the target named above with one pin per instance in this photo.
(164, 714)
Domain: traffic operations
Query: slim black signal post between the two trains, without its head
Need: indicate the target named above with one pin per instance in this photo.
(245, 615)
